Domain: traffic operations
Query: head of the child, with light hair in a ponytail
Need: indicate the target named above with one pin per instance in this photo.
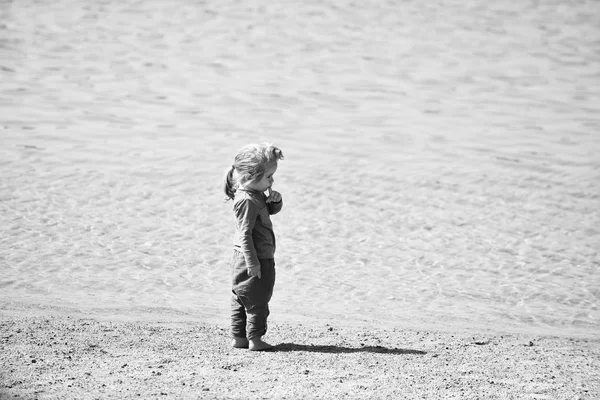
(251, 163)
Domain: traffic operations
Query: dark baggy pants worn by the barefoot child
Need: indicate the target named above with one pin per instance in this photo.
(250, 297)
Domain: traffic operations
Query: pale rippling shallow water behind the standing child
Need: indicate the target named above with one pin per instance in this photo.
(441, 159)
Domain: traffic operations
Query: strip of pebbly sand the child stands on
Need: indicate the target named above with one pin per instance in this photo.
(71, 355)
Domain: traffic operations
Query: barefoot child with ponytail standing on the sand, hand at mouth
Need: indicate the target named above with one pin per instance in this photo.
(253, 266)
